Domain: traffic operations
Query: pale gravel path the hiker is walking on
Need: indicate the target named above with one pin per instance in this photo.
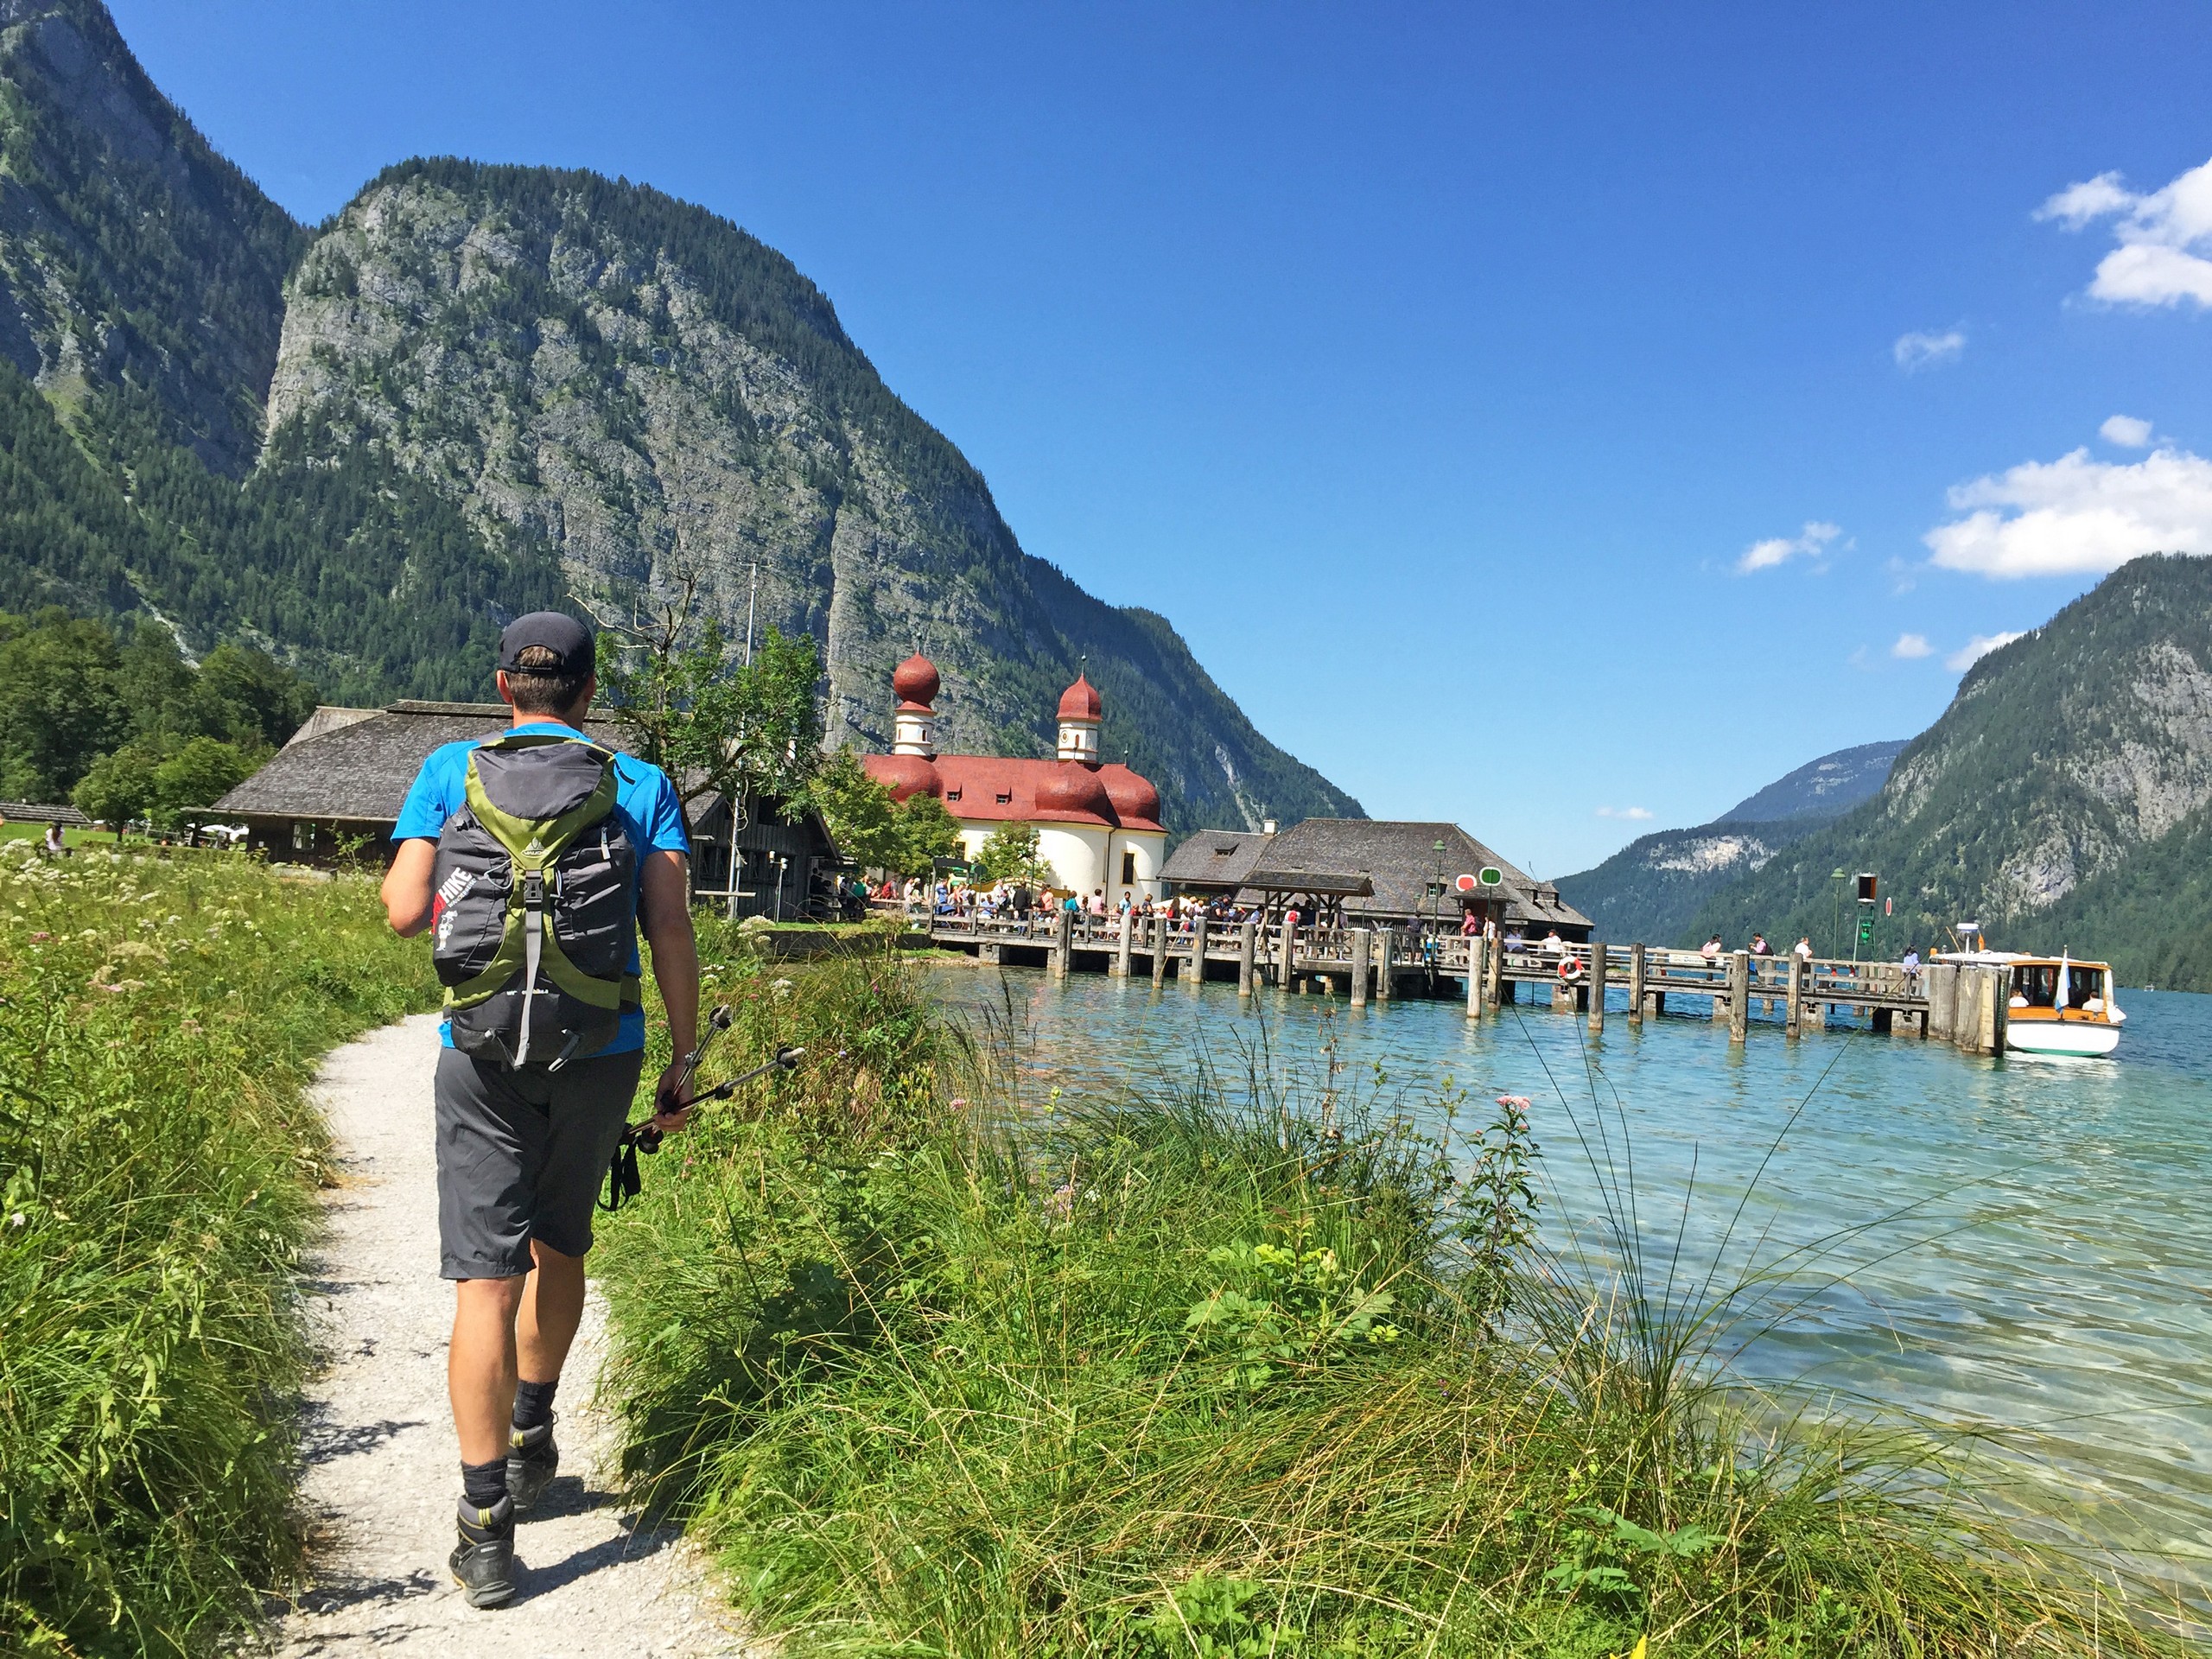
(384, 1468)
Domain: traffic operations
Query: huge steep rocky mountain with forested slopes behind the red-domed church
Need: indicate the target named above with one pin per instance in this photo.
(481, 390)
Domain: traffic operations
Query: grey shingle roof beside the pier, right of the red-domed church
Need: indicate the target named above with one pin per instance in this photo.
(1401, 862)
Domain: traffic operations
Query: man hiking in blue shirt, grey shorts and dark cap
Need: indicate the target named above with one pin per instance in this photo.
(536, 857)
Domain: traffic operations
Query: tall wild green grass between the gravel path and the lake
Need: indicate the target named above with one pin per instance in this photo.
(941, 1373)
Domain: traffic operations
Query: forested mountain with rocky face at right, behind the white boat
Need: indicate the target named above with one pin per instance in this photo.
(2063, 800)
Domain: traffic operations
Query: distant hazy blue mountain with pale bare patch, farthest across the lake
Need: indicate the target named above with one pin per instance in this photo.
(1656, 886)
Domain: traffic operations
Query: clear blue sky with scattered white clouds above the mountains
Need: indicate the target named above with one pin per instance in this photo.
(1437, 371)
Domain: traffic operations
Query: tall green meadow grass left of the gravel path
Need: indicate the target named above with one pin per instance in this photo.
(158, 1158)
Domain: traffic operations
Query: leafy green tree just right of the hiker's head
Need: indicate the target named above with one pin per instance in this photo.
(716, 727)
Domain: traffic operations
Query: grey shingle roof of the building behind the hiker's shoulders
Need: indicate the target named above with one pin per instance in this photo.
(359, 771)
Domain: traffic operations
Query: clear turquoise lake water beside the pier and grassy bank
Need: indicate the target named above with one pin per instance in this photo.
(2038, 1260)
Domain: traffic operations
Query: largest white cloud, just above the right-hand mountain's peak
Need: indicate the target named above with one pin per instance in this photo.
(2078, 517)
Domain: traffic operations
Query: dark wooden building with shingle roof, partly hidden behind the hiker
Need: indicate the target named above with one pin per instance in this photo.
(337, 789)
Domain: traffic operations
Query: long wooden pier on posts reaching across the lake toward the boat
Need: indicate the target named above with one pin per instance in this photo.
(1961, 1005)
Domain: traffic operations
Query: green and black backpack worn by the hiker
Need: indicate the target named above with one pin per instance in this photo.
(534, 919)
